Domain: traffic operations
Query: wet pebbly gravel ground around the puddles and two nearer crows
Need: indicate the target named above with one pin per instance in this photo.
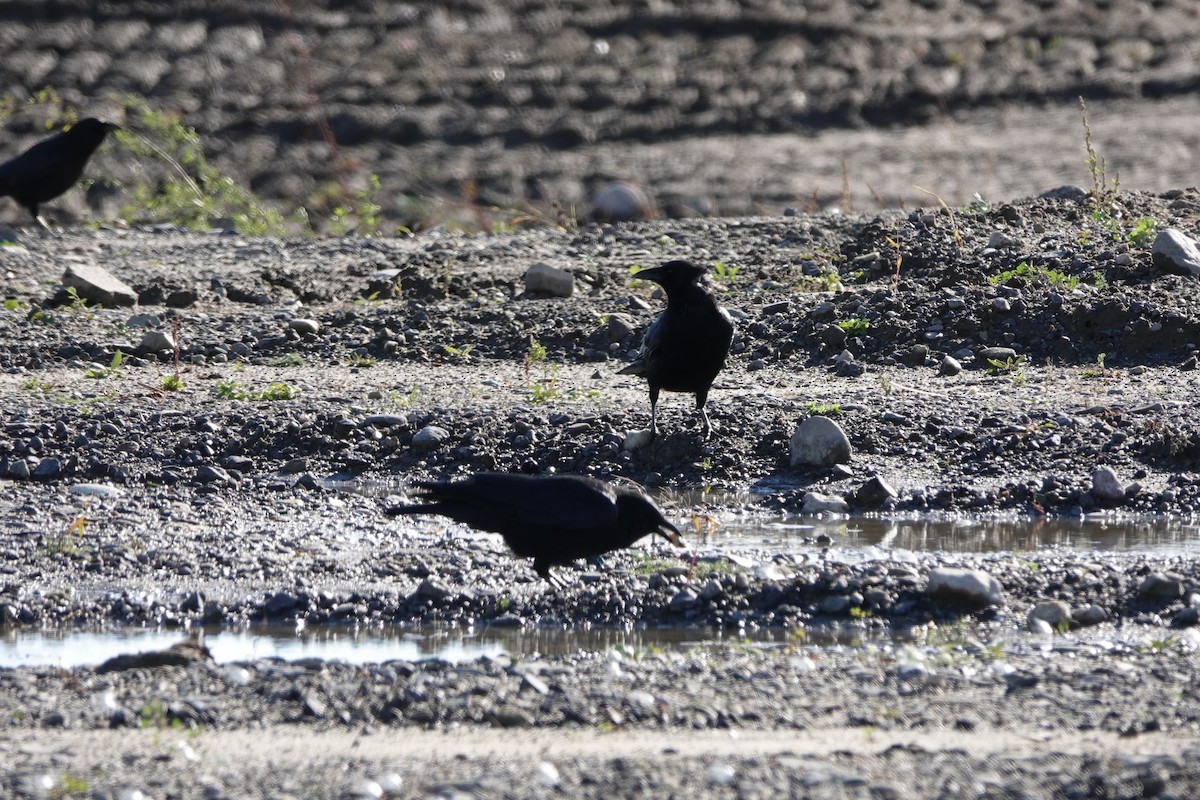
(129, 503)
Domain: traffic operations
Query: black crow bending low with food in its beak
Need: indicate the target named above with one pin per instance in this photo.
(553, 520)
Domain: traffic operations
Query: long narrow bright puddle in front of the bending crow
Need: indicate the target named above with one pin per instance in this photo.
(86, 648)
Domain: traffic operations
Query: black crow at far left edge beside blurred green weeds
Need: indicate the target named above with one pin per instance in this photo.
(50, 169)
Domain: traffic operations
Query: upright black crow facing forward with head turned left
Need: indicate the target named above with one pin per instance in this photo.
(686, 347)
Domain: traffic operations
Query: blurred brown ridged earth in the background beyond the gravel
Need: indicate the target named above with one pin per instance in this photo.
(532, 106)
